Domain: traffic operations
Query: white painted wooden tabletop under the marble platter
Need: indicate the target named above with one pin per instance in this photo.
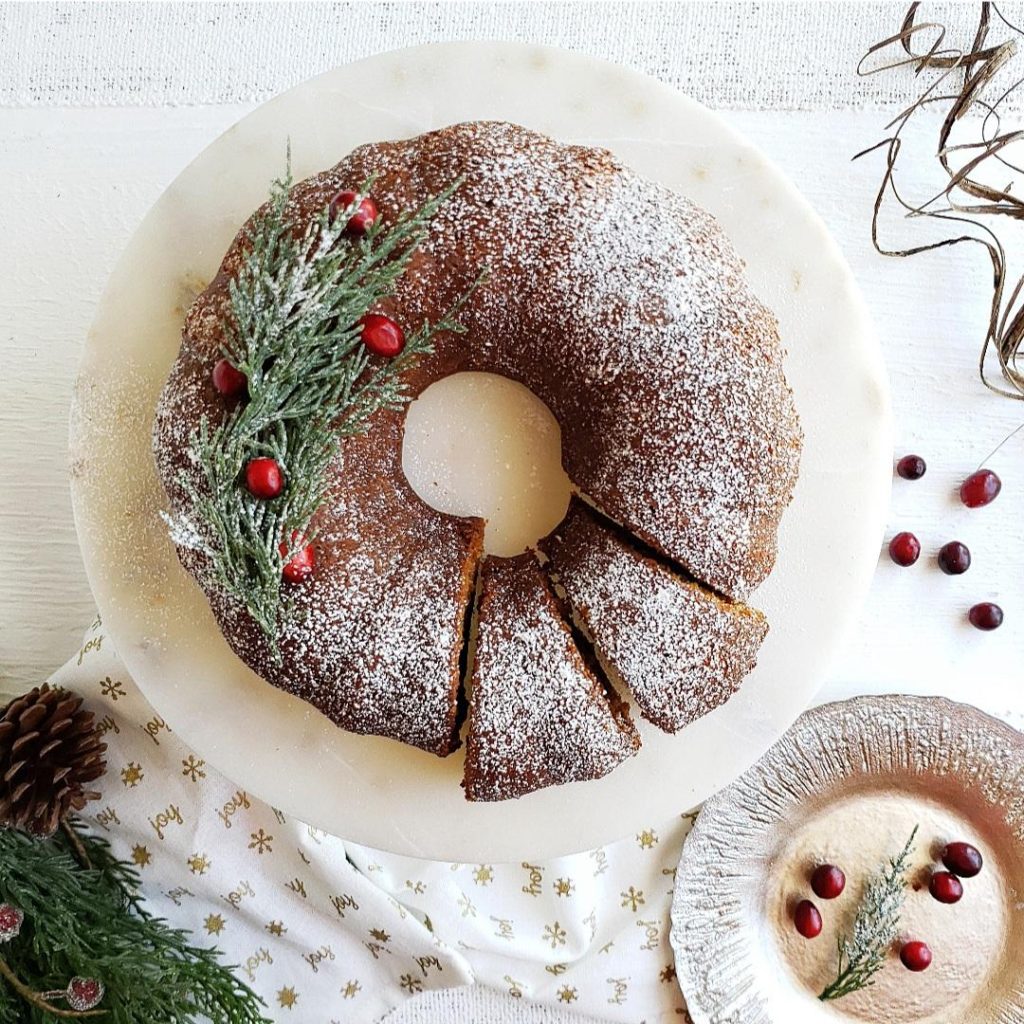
(78, 180)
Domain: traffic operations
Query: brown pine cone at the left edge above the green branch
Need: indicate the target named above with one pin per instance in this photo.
(50, 752)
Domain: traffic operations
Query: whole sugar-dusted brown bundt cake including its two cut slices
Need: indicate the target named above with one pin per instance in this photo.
(622, 307)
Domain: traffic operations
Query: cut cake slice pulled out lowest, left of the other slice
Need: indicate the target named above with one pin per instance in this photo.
(538, 714)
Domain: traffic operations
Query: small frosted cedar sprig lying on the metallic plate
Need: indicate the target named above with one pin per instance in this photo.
(875, 929)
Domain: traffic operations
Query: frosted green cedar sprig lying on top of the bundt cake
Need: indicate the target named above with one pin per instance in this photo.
(293, 330)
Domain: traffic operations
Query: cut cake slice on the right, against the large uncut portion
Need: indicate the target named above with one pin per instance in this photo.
(681, 650)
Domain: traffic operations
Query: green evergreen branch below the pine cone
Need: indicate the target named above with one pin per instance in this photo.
(91, 922)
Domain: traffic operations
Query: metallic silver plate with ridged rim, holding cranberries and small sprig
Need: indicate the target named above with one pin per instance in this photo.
(847, 786)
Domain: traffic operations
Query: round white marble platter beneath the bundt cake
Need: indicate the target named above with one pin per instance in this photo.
(377, 792)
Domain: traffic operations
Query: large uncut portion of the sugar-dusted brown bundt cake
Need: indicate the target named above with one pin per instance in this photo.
(620, 305)
